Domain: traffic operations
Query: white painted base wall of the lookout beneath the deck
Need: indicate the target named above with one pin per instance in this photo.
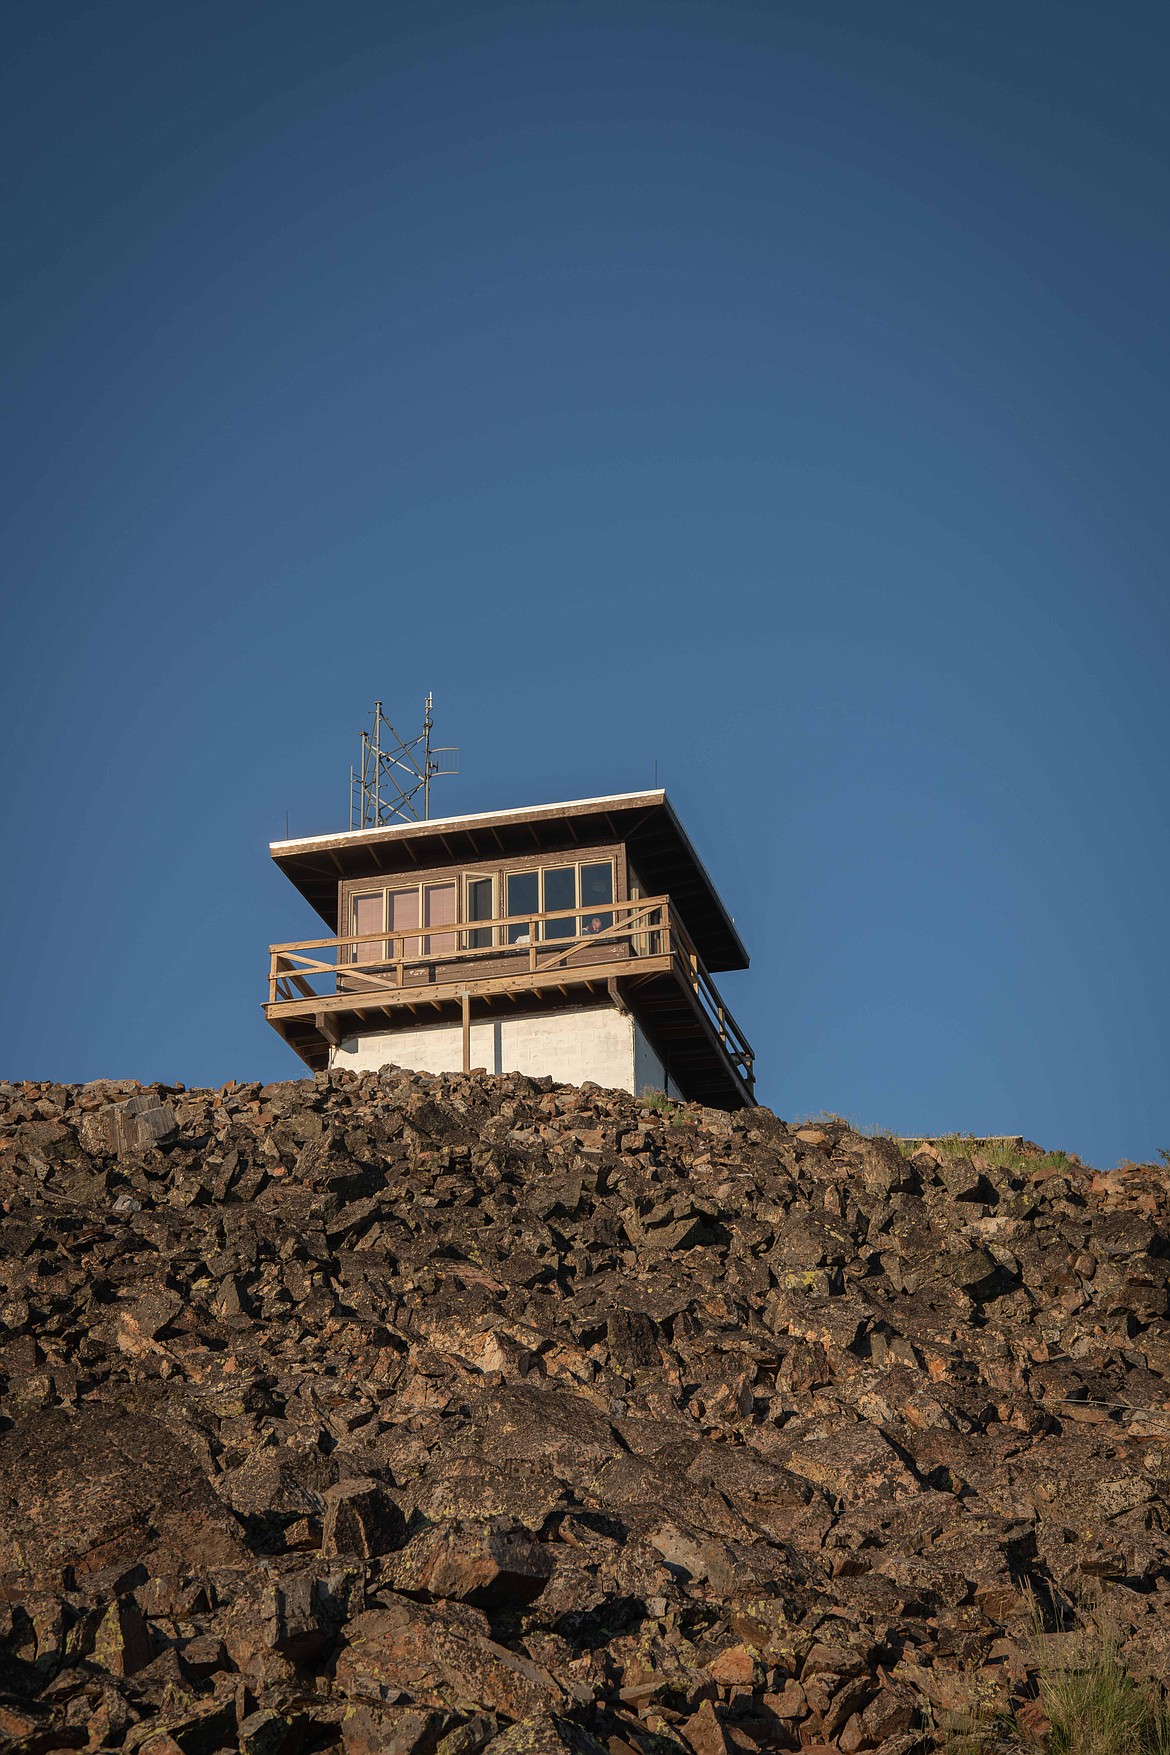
(571, 1047)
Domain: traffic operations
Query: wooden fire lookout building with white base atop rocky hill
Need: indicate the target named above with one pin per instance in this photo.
(566, 940)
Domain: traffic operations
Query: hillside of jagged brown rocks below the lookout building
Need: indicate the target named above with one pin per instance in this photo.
(408, 1415)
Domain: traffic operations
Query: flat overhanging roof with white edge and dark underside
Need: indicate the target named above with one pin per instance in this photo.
(643, 820)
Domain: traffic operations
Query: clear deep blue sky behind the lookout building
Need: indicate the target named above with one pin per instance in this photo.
(776, 394)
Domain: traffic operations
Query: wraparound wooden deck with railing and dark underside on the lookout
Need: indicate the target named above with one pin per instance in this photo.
(641, 959)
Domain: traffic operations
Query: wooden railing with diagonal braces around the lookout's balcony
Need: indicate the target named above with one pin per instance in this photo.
(313, 970)
